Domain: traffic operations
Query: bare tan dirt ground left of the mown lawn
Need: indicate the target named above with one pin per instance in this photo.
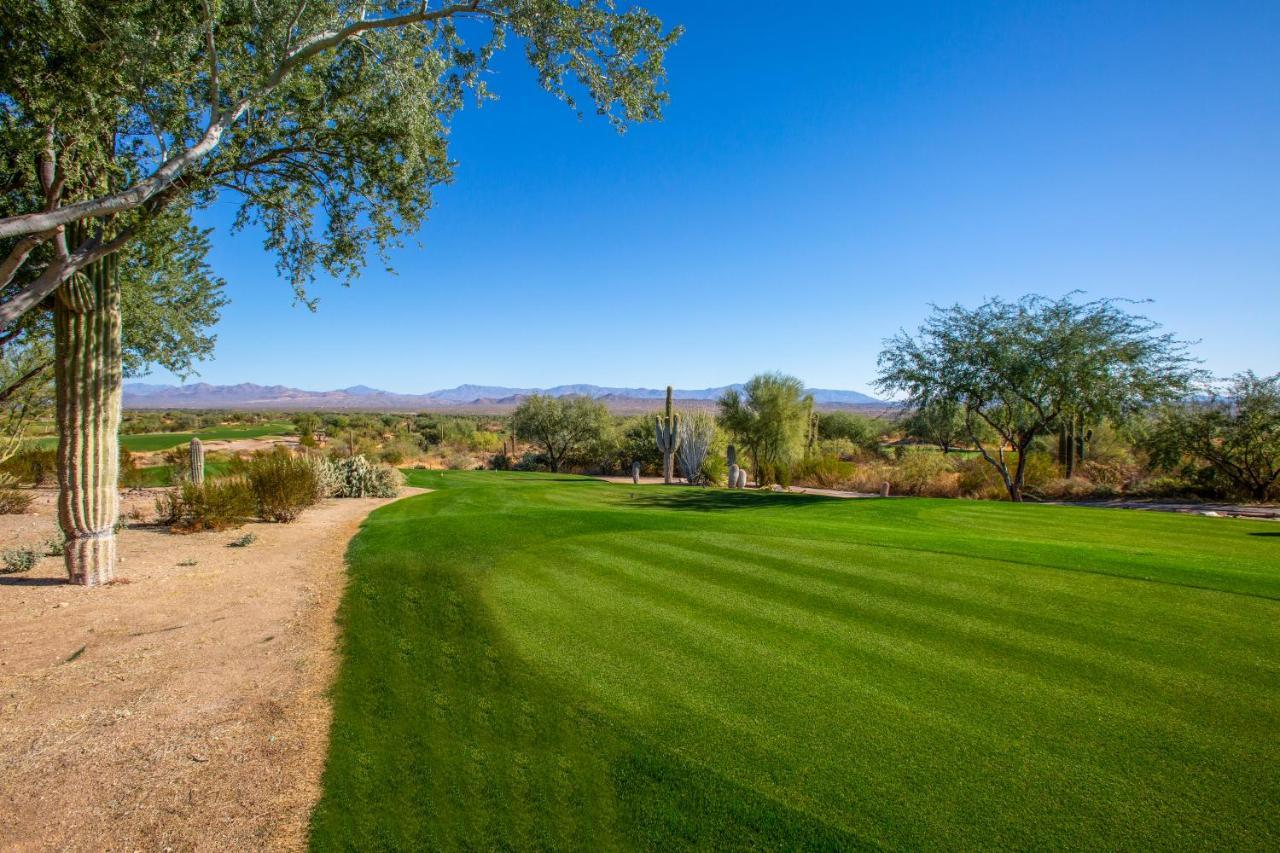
(184, 710)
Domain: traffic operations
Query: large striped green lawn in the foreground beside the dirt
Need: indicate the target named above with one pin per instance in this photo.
(538, 662)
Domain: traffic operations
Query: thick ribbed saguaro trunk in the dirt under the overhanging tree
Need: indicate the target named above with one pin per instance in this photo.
(88, 376)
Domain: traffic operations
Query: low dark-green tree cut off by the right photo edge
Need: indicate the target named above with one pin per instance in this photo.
(1237, 432)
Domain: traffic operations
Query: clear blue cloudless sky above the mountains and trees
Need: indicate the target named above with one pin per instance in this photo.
(824, 174)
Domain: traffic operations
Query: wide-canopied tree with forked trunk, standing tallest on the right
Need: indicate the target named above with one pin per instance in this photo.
(1021, 368)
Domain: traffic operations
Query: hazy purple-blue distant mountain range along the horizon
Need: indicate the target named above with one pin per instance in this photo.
(202, 395)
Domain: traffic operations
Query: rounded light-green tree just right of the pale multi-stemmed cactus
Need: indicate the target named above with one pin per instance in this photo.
(769, 418)
